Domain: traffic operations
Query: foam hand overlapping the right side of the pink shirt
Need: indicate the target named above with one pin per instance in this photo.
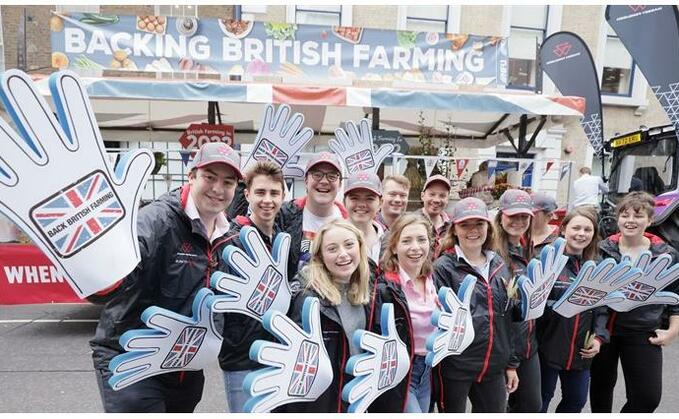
(455, 329)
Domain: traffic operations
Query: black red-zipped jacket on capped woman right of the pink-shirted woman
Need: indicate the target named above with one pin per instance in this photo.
(492, 312)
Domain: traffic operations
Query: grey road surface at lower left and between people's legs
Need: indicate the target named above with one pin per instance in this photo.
(46, 364)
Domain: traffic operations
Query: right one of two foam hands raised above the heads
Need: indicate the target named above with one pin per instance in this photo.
(356, 150)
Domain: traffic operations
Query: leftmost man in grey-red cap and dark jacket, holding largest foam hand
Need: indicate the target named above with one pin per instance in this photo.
(181, 239)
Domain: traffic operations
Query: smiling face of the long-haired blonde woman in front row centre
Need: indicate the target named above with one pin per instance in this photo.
(340, 252)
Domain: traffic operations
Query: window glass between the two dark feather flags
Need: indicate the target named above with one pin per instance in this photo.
(618, 71)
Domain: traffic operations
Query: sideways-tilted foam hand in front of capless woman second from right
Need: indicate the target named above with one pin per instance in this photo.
(596, 285)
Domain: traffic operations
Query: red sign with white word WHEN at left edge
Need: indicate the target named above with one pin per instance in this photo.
(28, 277)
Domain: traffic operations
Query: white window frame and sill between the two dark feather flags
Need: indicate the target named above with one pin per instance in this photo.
(637, 98)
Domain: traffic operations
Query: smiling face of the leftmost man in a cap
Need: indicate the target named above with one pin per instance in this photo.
(212, 188)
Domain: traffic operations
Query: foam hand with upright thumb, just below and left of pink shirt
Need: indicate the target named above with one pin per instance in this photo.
(383, 367)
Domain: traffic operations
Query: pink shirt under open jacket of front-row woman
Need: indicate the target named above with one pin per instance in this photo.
(421, 308)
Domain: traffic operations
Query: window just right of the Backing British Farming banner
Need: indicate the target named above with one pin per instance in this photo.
(528, 27)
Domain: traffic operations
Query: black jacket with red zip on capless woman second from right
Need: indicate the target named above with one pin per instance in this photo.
(560, 339)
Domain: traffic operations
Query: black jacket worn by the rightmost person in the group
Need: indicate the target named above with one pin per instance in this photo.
(646, 319)
